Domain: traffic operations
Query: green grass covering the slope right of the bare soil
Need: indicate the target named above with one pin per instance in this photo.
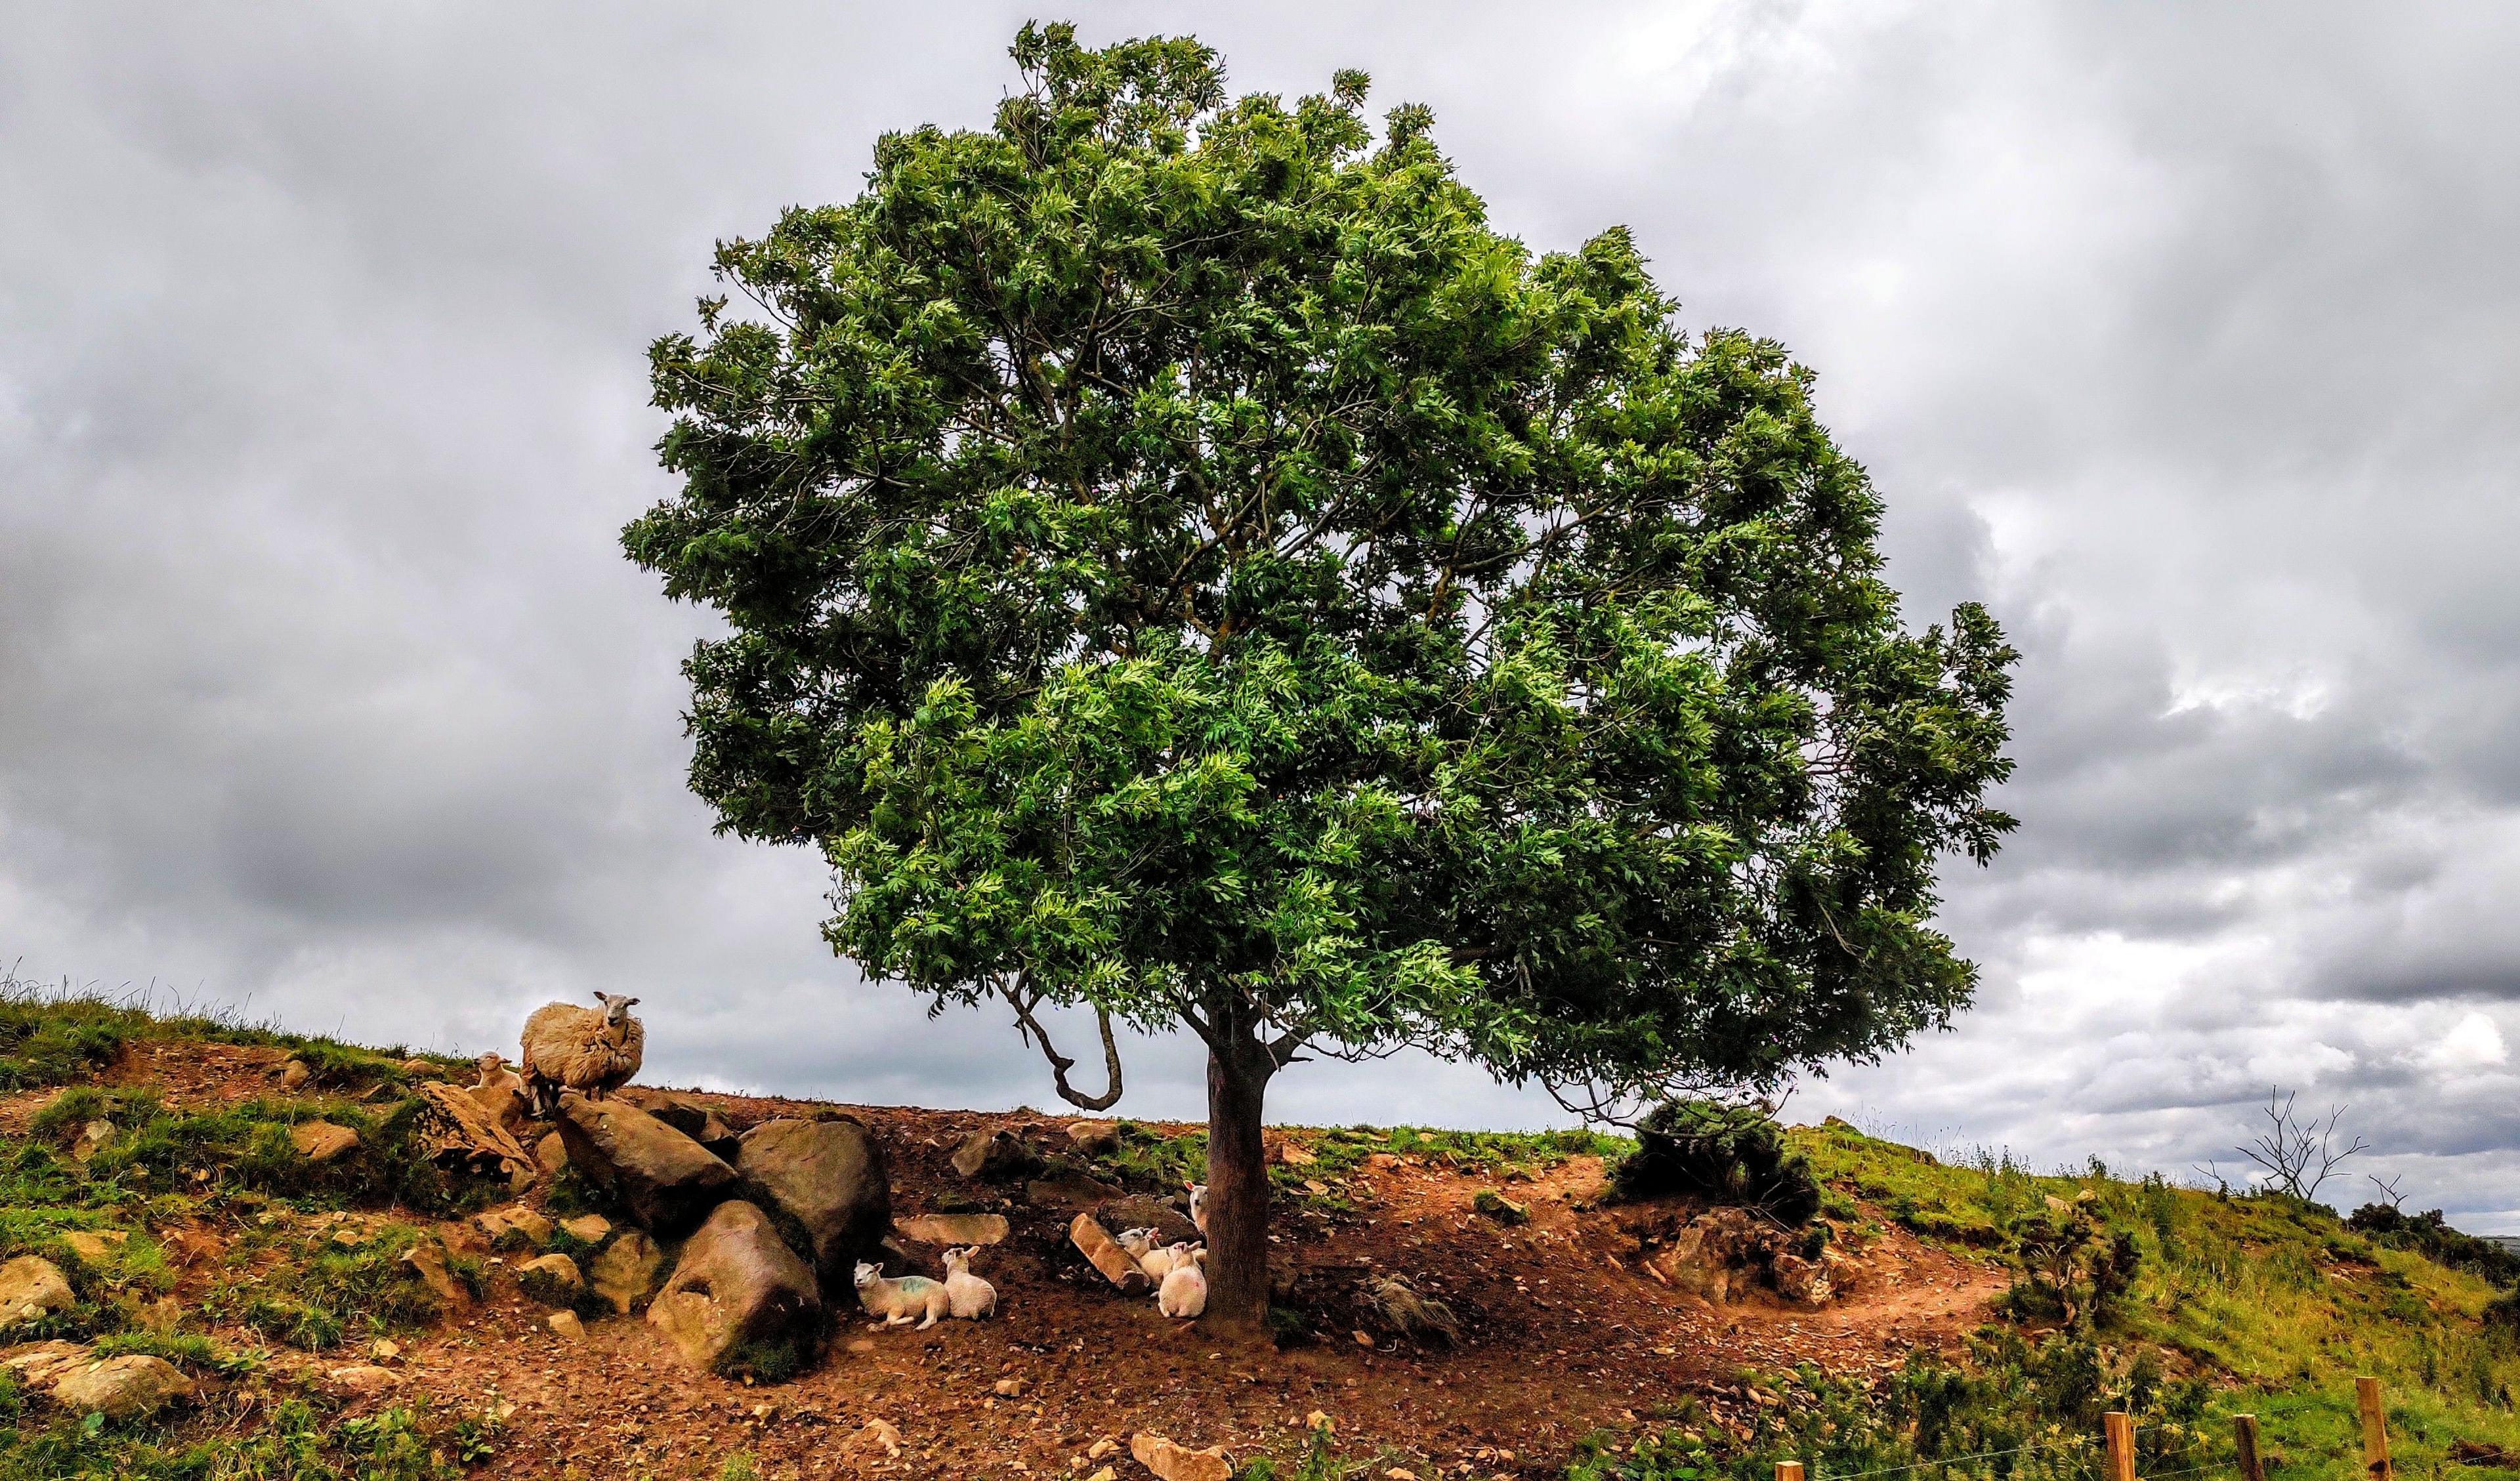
(2264, 1306)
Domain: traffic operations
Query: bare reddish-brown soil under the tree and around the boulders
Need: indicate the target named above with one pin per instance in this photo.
(1566, 1336)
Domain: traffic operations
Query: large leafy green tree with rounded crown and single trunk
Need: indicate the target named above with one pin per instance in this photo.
(1181, 560)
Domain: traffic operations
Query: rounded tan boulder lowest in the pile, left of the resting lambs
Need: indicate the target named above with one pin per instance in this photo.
(740, 1298)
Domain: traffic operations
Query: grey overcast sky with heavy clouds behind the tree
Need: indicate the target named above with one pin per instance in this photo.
(2189, 339)
